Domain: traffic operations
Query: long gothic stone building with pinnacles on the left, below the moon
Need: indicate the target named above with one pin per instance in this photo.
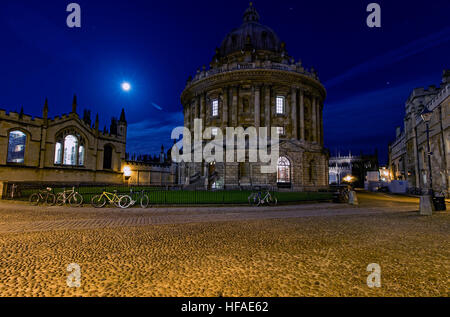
(65, 149)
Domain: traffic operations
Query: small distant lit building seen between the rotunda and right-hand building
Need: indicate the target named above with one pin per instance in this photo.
(351, 165)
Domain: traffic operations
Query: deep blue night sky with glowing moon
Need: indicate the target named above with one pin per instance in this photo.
(156, 45)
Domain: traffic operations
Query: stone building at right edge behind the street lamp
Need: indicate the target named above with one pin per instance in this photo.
(408, 157)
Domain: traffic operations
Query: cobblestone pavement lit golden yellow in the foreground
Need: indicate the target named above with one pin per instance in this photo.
(301, 250)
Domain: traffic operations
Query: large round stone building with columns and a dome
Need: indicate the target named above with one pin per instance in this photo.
(252, 81)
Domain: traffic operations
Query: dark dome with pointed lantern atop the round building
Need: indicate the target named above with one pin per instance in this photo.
(250, 35)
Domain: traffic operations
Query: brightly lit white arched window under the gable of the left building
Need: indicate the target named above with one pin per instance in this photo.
(69, 149)
